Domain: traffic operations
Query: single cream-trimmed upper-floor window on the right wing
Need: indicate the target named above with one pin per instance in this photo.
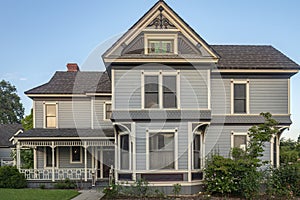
(240, 97)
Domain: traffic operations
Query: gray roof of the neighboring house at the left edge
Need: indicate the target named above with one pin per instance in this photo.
(6, 132)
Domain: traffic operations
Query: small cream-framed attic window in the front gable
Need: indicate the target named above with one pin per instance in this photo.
(160, 43)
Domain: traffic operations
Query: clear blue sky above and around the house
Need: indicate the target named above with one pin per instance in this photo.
(40, 37)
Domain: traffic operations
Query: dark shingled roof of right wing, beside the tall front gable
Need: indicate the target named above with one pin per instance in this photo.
(252, 57)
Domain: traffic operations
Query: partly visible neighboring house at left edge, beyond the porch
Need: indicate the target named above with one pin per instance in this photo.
(7, 131)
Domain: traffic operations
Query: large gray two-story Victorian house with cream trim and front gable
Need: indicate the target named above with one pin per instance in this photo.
(167, 101)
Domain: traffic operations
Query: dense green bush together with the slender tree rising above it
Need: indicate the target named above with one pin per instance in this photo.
(240, 175)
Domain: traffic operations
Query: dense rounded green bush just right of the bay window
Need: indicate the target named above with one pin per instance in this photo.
(237, 176)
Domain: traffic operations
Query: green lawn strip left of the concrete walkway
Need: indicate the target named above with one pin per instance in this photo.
(36, 194)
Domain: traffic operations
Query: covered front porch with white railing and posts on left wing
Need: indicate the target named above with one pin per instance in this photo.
(76, 158)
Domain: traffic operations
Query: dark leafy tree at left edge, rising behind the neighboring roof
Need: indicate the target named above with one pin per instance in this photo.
(11, 109)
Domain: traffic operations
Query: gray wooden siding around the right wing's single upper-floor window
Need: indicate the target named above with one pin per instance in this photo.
(265, 95)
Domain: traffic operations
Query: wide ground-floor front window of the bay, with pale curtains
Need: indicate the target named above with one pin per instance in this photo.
(161, 151)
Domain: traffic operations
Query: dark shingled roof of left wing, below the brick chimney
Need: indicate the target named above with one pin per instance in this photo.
(74, 83)
